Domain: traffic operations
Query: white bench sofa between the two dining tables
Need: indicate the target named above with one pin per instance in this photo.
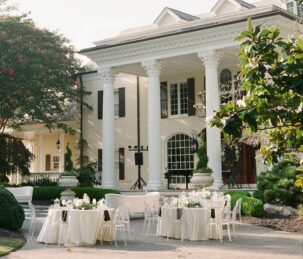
(136, 201)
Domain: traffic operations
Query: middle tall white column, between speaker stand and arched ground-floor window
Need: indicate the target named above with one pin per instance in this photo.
(153, 70)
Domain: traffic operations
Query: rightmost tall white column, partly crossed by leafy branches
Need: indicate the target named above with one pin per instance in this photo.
(210, 61)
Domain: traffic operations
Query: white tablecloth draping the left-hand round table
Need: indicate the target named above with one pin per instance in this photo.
(81, 227)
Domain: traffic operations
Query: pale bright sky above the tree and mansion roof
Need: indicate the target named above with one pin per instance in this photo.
(86, 21)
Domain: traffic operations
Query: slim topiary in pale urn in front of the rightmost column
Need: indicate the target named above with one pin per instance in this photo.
(202, 174)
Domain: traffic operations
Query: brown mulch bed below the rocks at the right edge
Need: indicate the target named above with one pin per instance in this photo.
(288, 224)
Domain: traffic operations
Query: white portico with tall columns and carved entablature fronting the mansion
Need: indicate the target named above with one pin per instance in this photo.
(198, 49)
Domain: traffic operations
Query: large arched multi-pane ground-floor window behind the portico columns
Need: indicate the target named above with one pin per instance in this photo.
(179, 157)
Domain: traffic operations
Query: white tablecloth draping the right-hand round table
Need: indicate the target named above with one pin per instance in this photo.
(196, 224)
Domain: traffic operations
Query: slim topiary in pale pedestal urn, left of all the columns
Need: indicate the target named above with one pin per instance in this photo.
(69, 178)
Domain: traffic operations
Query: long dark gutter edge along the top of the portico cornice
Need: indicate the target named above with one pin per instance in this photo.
(278, 11)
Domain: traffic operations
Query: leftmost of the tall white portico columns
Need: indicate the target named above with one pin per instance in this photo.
(108, 140)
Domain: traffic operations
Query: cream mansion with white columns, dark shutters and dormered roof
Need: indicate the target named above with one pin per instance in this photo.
(170, 65)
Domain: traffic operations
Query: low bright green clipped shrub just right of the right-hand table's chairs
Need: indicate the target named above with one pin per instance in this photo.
(250, 206)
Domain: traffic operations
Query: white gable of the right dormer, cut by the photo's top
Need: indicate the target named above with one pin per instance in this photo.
(230, 6)
